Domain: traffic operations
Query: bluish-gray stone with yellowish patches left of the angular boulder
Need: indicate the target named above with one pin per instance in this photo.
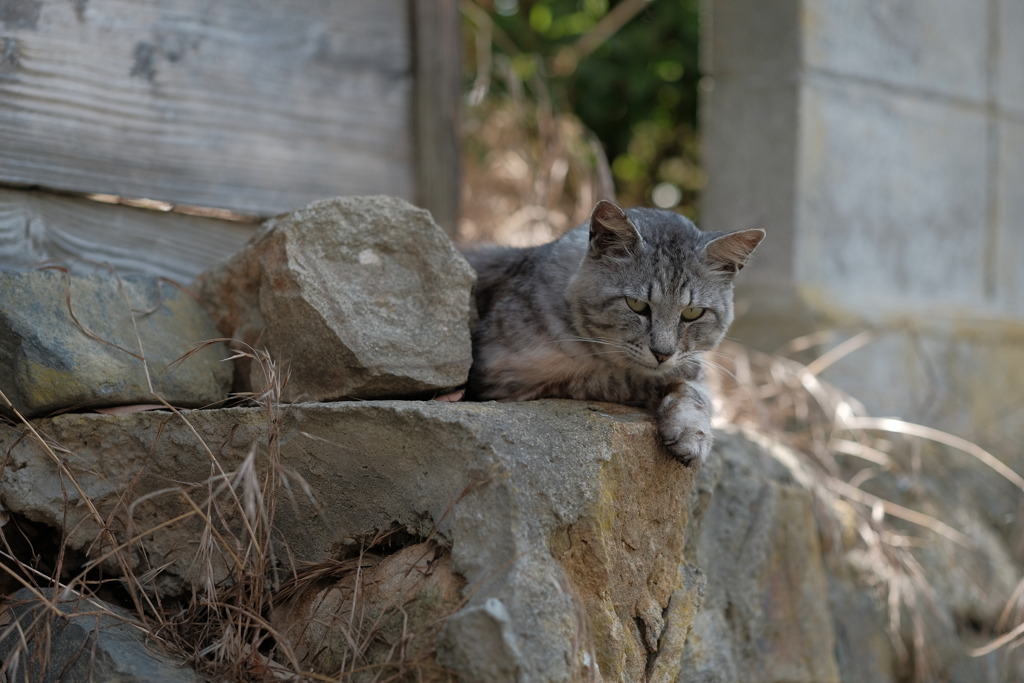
(50, 362)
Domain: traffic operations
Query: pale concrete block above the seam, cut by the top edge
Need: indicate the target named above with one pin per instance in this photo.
(940, 47)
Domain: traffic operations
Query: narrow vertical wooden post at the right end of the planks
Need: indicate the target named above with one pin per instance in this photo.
(439, 89)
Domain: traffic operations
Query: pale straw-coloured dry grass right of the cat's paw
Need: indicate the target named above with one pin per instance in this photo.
(834, 448)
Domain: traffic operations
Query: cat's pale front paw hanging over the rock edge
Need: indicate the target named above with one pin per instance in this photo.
(685, 422)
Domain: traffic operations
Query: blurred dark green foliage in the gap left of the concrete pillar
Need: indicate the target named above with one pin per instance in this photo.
(637, 91)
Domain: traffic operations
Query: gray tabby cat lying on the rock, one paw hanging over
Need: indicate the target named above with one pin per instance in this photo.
(618, 312)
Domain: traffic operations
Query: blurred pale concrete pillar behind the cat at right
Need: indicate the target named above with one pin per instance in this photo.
(881, 145)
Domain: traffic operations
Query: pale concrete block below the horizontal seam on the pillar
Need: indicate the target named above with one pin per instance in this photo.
(895, 202)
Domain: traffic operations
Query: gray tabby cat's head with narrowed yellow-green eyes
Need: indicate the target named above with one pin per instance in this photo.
(654, 289)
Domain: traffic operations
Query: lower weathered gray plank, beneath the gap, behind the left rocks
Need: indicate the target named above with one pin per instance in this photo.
(78, 234)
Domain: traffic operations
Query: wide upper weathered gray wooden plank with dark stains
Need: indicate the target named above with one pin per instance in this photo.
(254, 106)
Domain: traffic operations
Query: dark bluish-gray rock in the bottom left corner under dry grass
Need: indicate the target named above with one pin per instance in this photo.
(91, 645)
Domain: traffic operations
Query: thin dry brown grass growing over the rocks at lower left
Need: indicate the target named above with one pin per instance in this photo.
(226, 628)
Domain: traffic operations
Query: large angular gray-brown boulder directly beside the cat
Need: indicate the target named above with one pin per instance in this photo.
(364, 297)
